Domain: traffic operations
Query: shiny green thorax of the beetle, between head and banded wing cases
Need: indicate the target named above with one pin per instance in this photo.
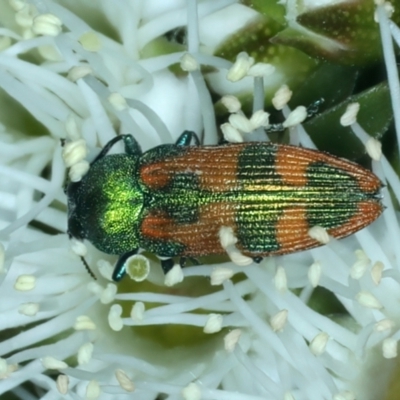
(111, 204)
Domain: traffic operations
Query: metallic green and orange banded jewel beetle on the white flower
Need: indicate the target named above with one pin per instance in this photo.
(173, 199)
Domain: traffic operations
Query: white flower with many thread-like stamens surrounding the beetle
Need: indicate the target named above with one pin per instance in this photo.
(68, 335)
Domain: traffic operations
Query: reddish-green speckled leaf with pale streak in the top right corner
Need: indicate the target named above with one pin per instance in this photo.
(344, 33)
